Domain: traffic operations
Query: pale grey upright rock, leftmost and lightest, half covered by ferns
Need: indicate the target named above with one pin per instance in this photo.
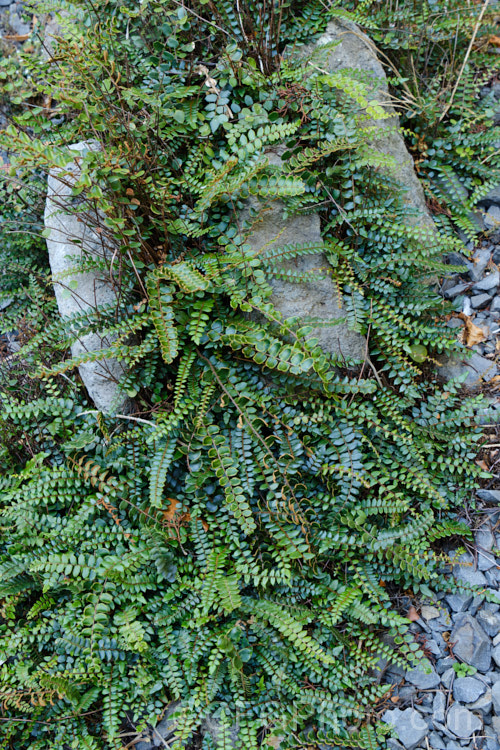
(73, 241)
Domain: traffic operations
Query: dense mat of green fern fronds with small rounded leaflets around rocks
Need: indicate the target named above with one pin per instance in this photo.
(232, 544)
